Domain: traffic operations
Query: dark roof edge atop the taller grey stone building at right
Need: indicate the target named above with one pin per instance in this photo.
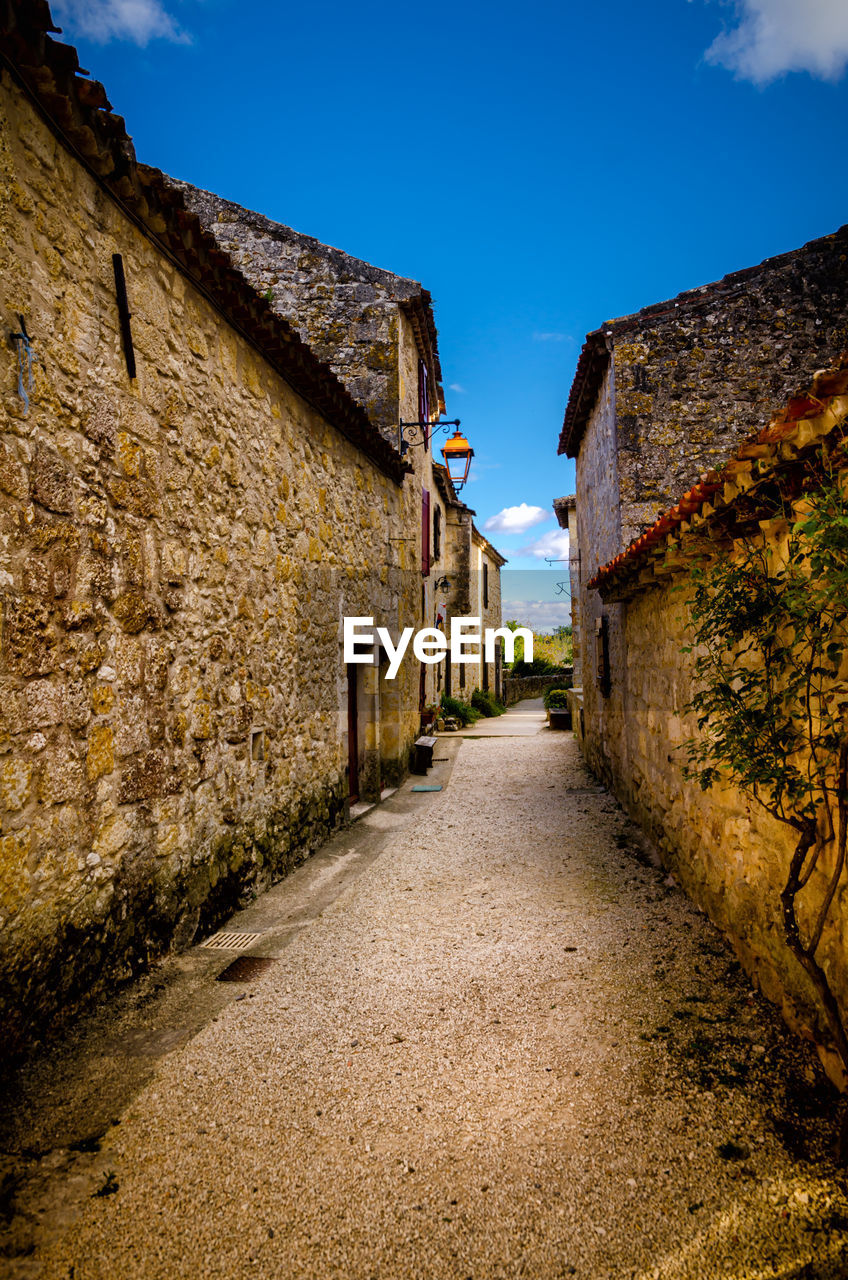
(595, 355)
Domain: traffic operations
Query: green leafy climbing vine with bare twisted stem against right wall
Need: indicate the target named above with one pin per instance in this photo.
(769, 638)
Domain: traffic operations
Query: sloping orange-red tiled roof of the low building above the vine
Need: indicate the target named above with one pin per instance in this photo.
(792, 433)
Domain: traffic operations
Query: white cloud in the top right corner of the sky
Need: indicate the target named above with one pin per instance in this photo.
(778, 36)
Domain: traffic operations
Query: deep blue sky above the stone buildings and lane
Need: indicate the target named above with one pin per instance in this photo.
(540, 168)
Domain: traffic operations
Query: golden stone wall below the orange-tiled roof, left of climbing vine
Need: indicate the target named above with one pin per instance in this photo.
(730, 856)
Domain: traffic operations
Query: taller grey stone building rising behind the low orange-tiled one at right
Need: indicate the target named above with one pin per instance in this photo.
(668, 394)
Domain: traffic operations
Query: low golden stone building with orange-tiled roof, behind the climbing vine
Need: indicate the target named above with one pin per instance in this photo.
(728, 853)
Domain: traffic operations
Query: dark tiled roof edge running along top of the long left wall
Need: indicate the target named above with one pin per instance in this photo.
(80, 115)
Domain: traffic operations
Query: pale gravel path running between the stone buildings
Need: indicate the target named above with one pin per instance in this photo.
(509, 1049)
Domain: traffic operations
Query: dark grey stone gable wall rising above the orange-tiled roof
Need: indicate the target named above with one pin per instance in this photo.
(696, 376)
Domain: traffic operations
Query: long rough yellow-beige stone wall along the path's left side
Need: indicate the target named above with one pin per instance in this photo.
(177, 556)
